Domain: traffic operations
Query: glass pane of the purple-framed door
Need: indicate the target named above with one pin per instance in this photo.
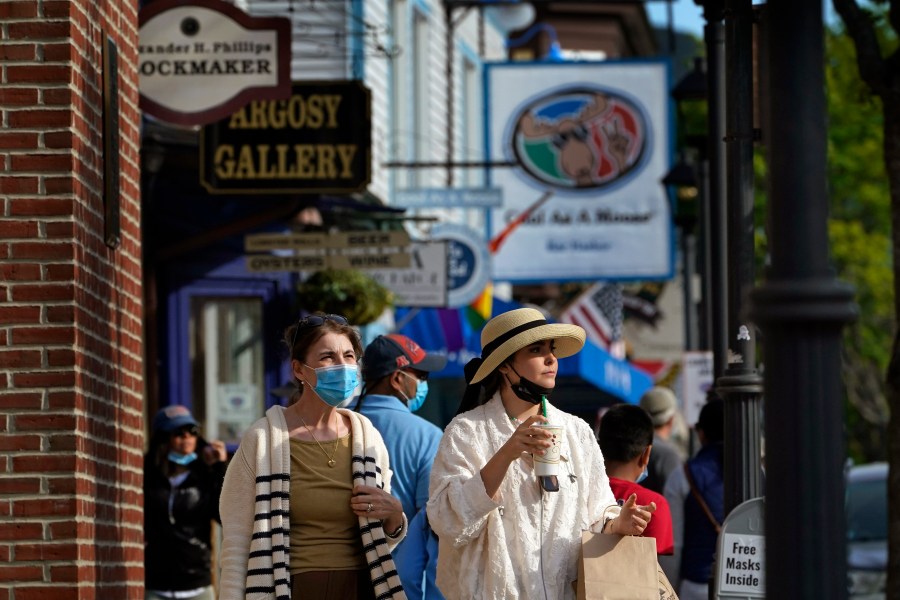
(226, 353)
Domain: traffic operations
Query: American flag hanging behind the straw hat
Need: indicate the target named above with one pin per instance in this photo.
(598, 310)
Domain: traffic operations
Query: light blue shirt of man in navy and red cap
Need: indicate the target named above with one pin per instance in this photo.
(412, 445)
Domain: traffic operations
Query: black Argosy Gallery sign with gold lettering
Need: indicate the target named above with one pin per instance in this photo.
(316, 141)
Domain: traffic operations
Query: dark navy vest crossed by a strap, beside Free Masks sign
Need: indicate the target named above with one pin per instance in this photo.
(699, 534)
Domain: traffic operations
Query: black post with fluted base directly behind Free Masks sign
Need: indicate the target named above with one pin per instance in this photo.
(740, 385)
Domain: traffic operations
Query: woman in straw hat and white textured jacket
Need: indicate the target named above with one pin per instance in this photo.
(503, 533)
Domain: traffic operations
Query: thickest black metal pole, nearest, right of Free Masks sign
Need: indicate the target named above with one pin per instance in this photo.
(801, 309)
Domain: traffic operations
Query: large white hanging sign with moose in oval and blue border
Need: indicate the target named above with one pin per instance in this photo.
(596, 135)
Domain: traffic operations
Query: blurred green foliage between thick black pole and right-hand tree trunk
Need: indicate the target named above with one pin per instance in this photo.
(860, 238)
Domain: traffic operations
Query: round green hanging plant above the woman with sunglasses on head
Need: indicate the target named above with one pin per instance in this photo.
(350, 293)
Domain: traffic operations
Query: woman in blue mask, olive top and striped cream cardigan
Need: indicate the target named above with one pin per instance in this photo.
(306, 507)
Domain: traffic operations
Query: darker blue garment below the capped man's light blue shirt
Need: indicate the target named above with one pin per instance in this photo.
(416, 560)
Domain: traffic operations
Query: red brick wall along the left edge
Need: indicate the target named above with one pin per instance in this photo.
(71, 429)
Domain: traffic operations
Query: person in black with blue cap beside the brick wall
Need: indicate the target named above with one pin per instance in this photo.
(182, 482)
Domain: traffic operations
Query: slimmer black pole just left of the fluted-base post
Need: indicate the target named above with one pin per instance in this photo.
(713, 34)
